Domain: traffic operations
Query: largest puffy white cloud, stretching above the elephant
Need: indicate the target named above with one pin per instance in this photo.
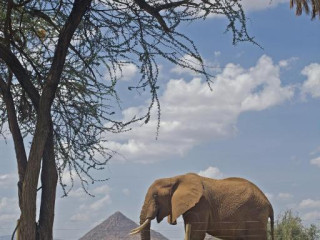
(191, 113)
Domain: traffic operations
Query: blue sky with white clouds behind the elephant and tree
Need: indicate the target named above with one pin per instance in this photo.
(260, 122)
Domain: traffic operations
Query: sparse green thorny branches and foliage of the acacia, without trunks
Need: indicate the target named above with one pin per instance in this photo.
(110, 35)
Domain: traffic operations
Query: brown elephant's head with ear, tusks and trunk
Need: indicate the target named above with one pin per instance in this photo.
(168, 197)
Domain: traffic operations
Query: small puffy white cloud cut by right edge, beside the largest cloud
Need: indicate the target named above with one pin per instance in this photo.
(312, 85)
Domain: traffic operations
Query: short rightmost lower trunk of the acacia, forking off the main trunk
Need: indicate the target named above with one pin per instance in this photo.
(49, 179)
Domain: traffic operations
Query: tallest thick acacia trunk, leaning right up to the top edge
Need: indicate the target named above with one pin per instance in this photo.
(29, 192)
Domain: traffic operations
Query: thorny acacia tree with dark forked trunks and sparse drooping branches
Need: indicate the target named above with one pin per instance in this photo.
(54, 56)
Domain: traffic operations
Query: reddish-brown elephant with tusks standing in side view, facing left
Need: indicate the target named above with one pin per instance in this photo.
(231, 208)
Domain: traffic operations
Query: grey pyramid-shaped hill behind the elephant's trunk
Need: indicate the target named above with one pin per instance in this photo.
(116, 227)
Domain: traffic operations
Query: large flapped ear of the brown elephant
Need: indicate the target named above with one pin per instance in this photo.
(186, 195)
